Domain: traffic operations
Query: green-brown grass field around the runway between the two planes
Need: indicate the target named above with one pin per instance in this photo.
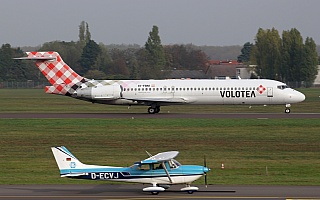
(254, 151)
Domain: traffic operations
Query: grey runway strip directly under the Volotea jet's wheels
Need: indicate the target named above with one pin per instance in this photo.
(162, 115)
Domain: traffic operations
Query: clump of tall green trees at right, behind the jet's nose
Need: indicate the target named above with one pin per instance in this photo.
(287, 58)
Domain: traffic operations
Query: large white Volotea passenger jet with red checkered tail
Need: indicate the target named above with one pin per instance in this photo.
(156, 93)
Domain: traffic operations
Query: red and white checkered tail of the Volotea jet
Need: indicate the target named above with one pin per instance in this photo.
(63, 79)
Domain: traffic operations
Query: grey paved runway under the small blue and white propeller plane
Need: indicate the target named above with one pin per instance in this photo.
(134, 191)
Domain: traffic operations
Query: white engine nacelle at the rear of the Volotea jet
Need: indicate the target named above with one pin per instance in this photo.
(106, 92)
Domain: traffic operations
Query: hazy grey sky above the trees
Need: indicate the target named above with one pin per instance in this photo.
(200, 22)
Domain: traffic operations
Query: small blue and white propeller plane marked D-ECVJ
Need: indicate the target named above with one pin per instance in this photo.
(160, 170)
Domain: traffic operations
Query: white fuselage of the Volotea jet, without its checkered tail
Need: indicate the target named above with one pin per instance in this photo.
(201, 92)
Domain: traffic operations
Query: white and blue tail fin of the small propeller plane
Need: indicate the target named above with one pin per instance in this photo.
(66, 161)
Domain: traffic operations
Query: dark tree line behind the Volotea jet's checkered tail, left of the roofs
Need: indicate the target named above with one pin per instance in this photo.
(96, 61)
